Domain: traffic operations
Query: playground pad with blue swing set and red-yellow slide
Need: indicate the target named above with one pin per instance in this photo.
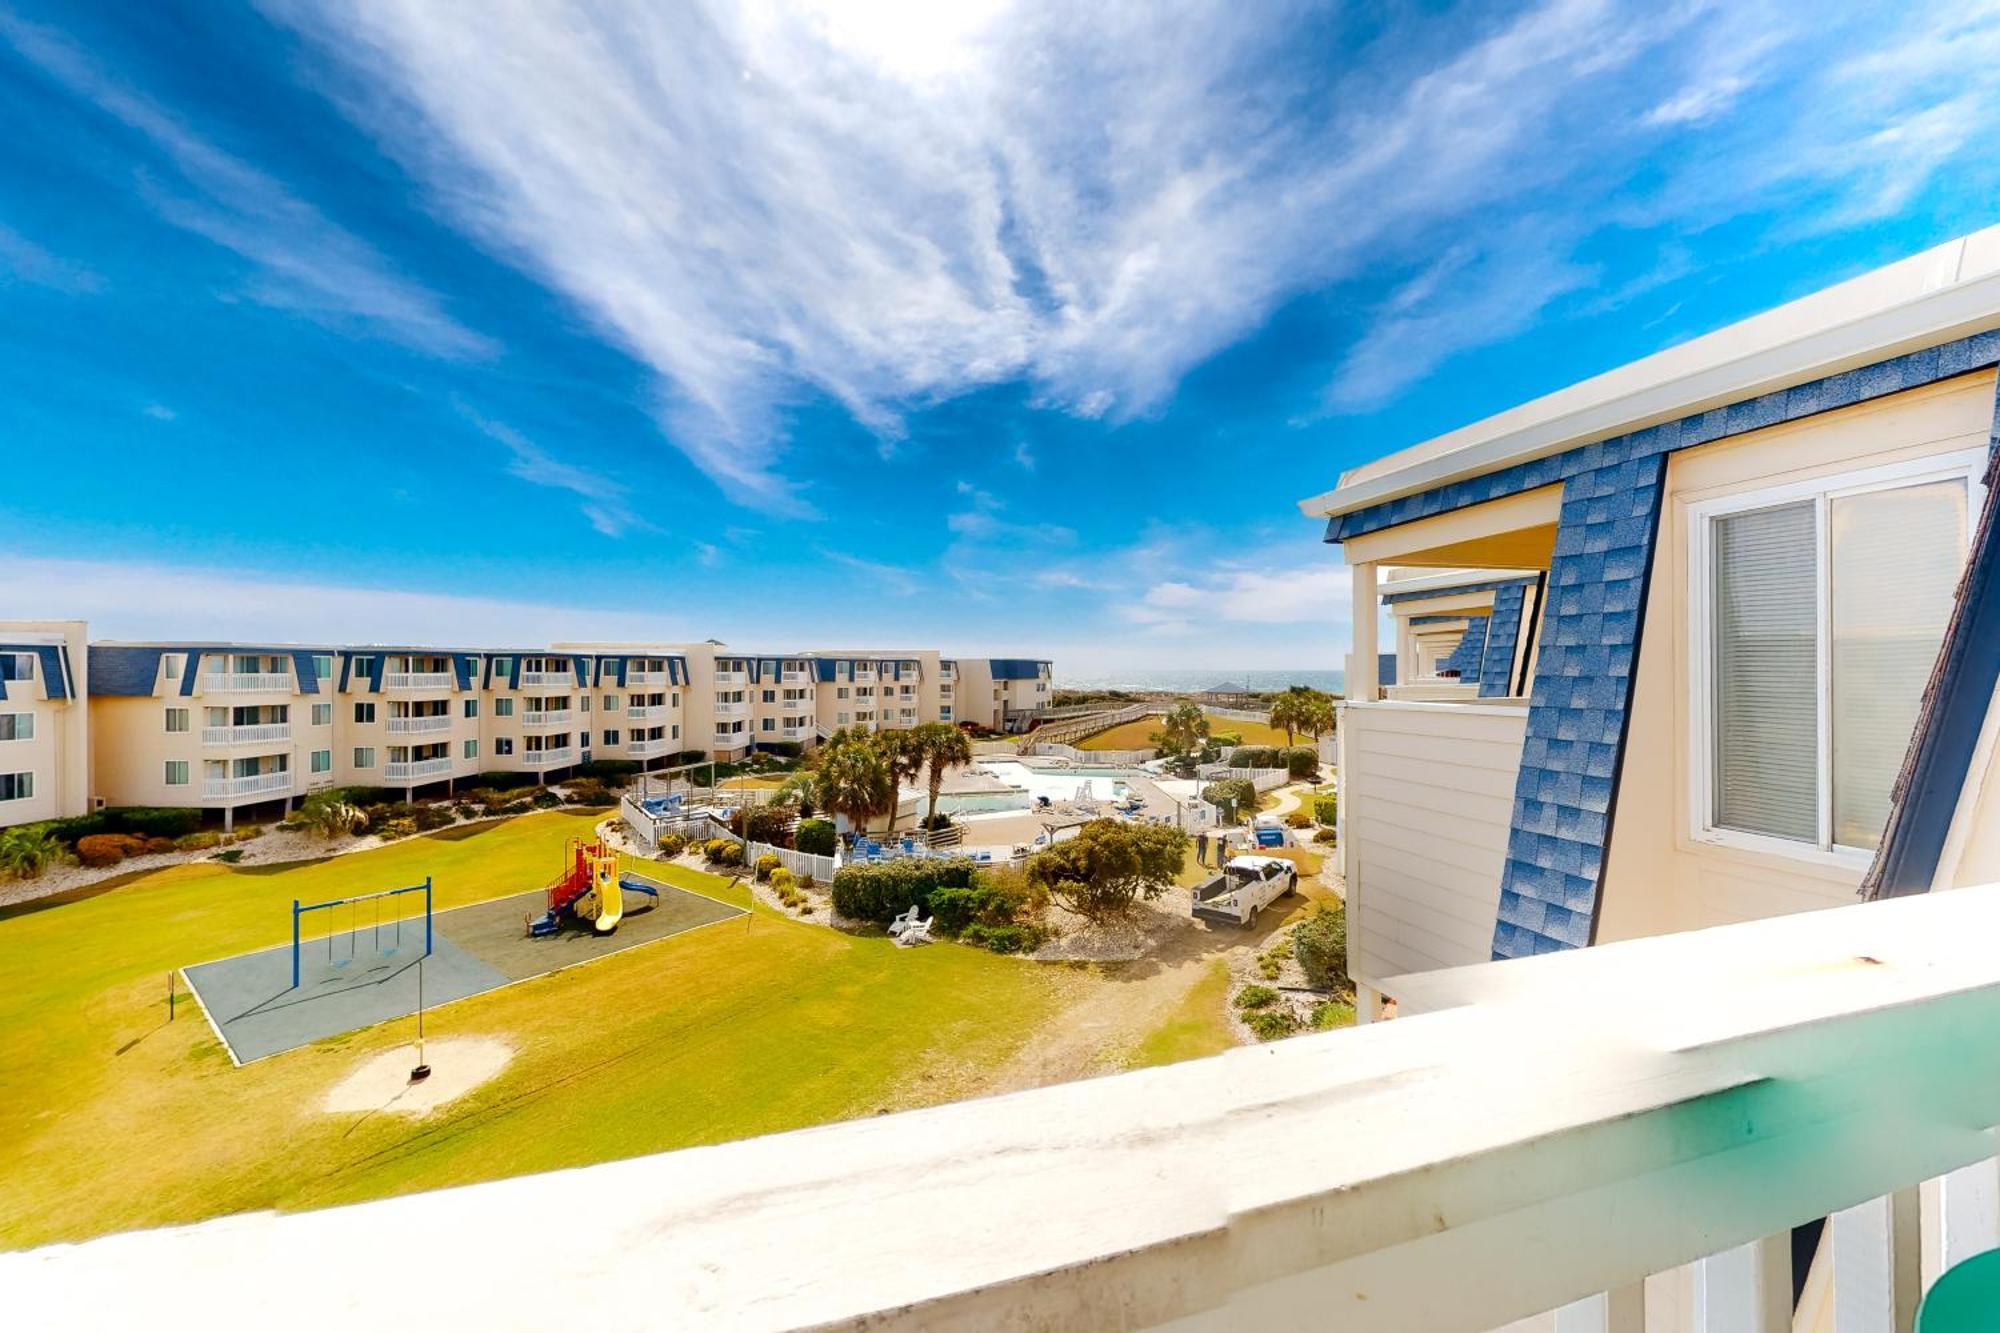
(361, 960)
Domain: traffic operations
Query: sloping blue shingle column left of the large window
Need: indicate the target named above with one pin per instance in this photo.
(1577, 716)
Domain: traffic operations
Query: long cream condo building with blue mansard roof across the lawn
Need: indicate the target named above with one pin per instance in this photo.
(227, 726)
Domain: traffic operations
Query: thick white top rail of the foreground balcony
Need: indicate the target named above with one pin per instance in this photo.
(1581, 1122)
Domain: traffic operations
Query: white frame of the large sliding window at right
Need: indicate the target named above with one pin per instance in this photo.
(1965, 465)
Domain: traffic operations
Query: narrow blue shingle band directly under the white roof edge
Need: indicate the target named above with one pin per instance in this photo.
(1825, 395)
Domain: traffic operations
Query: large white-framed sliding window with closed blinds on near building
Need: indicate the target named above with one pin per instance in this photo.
(1819, 619)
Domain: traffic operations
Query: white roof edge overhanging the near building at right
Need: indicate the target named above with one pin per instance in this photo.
(1945, 293)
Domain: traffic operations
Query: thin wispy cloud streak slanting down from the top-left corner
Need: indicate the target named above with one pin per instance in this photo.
(303, 259)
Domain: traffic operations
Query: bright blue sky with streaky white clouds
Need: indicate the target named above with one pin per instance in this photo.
(1005, 327)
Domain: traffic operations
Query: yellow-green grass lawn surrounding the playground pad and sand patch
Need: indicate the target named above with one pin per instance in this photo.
(117, 1120)
